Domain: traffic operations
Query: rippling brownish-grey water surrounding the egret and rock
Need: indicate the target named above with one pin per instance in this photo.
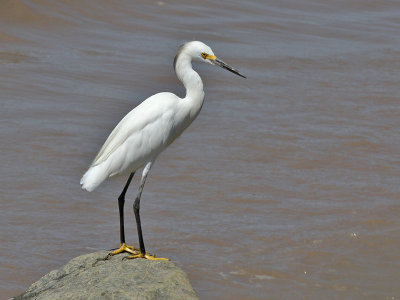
(285, 187)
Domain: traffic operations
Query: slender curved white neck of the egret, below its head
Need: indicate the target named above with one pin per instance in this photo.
(192, 82)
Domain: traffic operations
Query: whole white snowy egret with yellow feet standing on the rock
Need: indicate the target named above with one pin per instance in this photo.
(147, 130)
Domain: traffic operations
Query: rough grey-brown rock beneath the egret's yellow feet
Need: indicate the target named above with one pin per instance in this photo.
(91, 277)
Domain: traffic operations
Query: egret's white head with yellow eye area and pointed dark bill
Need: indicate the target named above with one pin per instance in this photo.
(201, 52)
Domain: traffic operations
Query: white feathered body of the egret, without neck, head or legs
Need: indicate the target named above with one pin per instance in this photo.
(139, 137)
